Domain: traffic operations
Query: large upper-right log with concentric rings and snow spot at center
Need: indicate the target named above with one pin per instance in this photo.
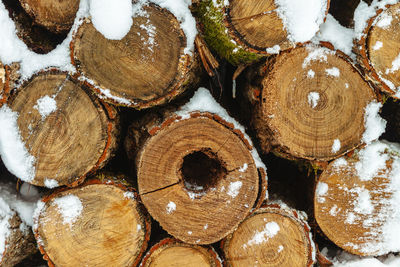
(307, 103)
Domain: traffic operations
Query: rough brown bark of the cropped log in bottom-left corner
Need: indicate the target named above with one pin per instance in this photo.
(25, 244)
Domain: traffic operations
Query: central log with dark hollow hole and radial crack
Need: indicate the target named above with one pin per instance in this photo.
(195, 169)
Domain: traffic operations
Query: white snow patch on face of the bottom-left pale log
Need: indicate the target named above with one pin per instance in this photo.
(70, 208)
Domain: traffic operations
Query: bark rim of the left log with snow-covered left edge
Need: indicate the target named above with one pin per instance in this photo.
(110, 114)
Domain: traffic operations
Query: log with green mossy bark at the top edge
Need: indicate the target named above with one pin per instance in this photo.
(242, 31)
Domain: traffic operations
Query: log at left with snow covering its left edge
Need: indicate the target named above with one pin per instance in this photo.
(67, 130)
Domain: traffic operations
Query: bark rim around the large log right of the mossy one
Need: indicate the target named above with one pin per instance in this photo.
(253, 96)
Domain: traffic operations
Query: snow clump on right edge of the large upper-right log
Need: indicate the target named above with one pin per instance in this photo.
(374, 124)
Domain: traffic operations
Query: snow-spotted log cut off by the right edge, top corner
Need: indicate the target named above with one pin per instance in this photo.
(378, 48)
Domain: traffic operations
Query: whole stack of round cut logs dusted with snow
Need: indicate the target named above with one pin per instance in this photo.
(135, 160)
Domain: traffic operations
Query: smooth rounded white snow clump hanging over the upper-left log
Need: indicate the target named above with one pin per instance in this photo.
(112, 18)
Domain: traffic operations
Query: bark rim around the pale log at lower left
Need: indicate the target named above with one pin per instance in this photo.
(99, 179)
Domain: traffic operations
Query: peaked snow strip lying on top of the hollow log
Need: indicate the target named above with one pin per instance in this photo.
(202, 101)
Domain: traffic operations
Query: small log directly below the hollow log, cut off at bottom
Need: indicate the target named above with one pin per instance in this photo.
(171, 252)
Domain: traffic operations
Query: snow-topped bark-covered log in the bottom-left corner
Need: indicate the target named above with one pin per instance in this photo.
(16, 239)
